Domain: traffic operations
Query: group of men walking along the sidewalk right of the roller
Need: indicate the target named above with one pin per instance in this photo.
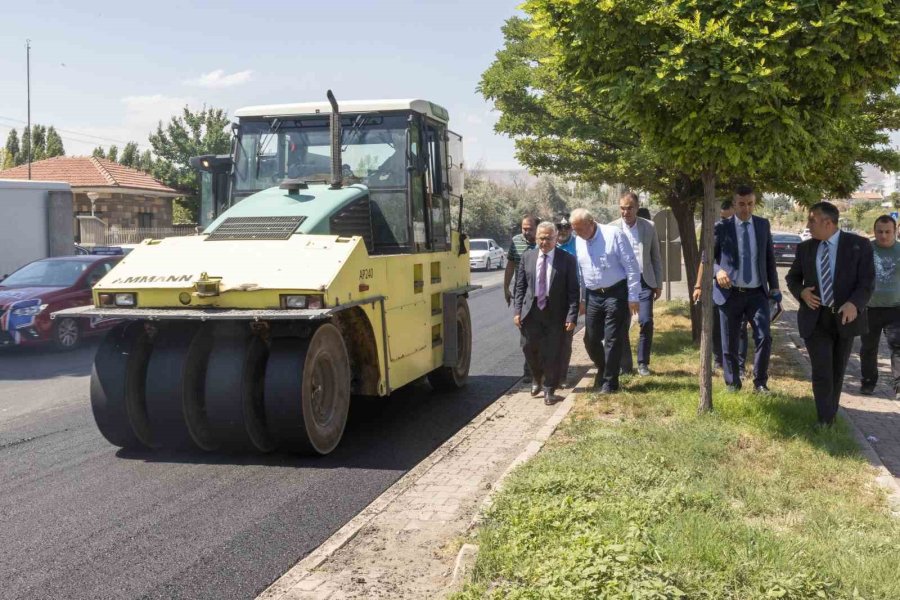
(846, 285)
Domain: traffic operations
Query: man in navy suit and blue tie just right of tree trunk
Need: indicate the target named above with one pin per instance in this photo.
(746, 278)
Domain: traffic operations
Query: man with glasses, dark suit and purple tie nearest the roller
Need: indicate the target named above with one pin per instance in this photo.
(546, 307)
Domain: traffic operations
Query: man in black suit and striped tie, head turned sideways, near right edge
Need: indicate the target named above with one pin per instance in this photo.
(832, 277)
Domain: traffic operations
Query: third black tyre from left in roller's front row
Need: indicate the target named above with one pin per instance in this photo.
(235, 375)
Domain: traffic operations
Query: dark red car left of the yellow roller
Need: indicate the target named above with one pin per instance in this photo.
(31, 294)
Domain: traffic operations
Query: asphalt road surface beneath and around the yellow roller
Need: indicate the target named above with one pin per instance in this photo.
(80, 518)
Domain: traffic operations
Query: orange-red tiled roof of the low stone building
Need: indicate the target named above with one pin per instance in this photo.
(90, 173)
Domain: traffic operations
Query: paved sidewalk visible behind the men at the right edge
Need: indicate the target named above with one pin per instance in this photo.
(877, 417)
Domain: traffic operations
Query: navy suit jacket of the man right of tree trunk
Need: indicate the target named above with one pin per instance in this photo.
(726, 256)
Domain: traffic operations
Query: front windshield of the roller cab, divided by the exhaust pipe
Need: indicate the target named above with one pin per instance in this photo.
(373, 151)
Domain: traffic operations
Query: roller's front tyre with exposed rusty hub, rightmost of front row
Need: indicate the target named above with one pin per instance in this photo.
(308, 391)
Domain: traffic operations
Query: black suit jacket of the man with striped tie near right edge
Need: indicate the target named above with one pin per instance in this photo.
(854, 281)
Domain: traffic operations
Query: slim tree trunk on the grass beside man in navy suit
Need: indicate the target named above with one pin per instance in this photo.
(707, 307)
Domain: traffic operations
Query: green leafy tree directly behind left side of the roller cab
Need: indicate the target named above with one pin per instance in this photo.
(191, 134)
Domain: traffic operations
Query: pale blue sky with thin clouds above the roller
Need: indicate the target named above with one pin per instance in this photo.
(106, 73)
